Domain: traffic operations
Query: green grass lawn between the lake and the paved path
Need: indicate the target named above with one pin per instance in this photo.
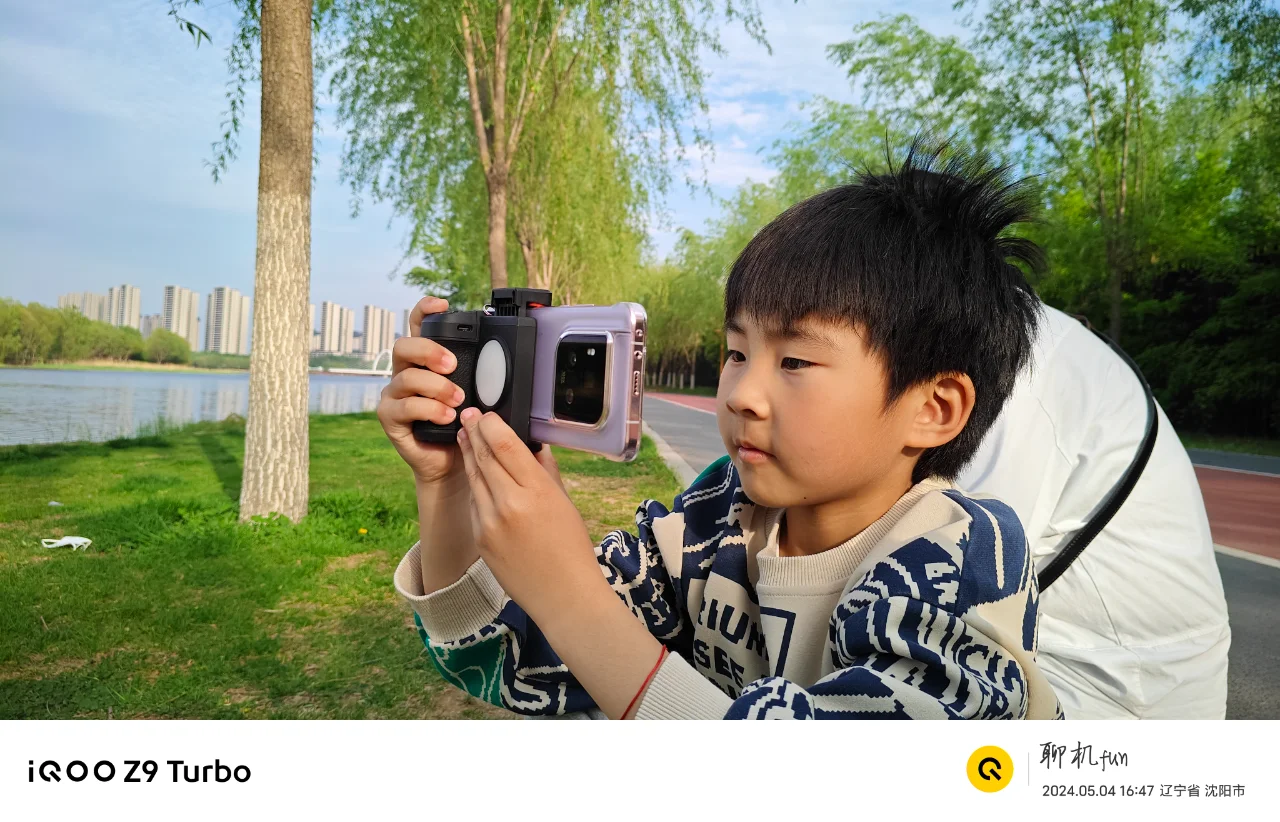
(179, 611)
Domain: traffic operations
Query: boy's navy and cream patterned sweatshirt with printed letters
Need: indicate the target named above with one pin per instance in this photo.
(931, 613)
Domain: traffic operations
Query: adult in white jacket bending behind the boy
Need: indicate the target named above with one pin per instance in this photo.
(1137, 625)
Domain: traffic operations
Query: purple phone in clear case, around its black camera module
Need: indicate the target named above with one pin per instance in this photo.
(618, 435)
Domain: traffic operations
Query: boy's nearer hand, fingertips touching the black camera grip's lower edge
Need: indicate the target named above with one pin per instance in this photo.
(527, 528)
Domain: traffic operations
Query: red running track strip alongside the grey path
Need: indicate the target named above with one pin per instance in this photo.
(1244, 509)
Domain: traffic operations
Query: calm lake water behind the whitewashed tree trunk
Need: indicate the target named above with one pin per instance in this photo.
(39, 407)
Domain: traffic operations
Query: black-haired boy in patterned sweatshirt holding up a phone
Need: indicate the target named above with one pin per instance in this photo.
(828, 568)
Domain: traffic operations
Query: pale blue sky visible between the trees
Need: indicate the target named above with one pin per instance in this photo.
(109, 113)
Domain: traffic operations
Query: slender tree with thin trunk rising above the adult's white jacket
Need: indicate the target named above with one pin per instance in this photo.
(1067, 83)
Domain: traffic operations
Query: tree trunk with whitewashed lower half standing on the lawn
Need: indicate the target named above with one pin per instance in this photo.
(276, 439)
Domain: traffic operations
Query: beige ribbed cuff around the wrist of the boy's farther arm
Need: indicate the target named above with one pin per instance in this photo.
(454, 613)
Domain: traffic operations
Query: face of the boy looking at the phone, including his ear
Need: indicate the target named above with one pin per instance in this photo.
(803, 415)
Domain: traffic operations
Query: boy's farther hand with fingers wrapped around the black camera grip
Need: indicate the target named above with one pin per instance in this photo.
(422, 394)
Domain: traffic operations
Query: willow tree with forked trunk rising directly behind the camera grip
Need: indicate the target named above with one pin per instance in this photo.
(431, 93)
